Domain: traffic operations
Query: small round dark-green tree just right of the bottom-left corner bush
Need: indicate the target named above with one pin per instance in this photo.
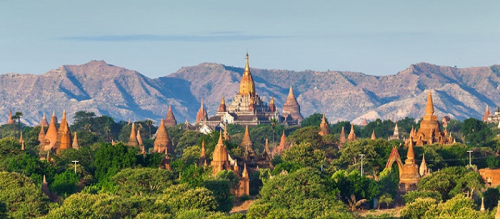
(65, 183)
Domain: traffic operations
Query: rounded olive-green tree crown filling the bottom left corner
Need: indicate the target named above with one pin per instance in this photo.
(21, 197)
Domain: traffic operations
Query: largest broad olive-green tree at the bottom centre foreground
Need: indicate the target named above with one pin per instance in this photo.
(301, 194)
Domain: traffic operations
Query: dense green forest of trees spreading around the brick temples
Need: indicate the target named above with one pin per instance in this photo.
(311, 179)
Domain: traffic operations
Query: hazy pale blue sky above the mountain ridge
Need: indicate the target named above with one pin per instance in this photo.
(157, 38)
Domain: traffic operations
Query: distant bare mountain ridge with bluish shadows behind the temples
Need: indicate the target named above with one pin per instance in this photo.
(121, 93)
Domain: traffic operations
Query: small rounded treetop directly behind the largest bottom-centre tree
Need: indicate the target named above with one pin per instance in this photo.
(305, 155)
